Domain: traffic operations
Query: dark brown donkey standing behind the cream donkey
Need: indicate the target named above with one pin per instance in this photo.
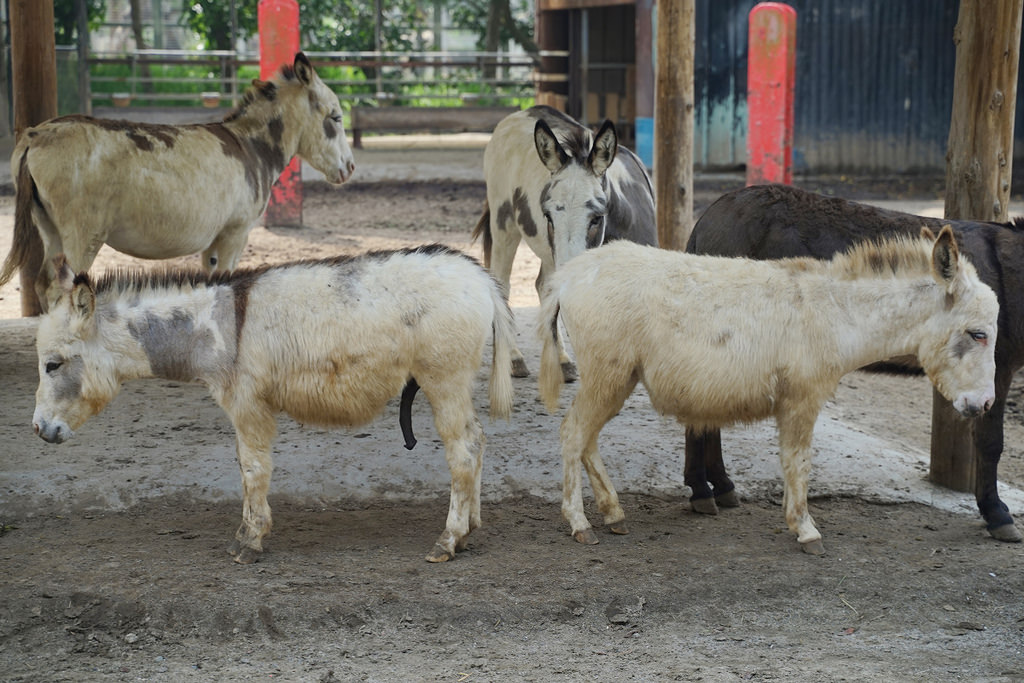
(779, 222)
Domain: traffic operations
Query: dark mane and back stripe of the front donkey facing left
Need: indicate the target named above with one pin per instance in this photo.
(135, 281)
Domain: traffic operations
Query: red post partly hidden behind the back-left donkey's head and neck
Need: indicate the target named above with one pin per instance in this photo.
(279, 42)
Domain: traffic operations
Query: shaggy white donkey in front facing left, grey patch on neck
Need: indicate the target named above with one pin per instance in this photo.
(328, 343)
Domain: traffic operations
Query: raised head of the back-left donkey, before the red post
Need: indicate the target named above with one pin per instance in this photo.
(322, 140)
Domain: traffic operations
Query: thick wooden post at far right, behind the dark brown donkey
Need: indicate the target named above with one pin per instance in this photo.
(979, 161)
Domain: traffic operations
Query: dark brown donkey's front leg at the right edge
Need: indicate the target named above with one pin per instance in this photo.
(989, 447)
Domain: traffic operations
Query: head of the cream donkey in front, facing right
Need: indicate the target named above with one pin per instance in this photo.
(959, 351)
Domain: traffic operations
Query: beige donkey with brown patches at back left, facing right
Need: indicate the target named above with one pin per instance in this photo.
(159, 191)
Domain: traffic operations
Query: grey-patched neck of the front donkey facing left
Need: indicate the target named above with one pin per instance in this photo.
(184, 335)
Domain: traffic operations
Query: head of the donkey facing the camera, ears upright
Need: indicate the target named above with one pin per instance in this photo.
(576, 200)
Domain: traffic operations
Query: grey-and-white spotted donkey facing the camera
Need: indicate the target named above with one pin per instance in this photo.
(586, 190)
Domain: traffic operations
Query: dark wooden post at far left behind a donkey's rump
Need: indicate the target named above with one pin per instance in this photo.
(34, 76)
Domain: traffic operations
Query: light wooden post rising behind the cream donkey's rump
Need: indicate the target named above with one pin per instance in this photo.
(674, 122)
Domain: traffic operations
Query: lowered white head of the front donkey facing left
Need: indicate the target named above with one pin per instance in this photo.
(77, 377)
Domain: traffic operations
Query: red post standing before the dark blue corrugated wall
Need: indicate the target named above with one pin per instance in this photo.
(771, 84)
